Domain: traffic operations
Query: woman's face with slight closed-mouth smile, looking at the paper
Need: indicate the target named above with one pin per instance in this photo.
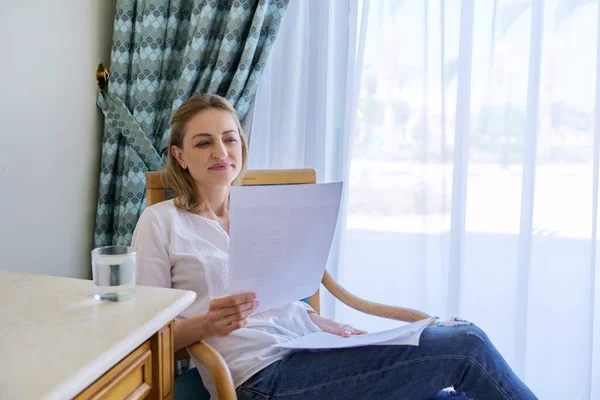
(212, 148)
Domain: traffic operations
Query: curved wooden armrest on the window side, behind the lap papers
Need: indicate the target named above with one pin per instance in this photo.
(369, 307)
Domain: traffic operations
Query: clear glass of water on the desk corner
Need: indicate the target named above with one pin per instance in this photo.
(113, 270)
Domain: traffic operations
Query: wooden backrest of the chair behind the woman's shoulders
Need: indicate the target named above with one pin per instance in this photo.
(155, 192)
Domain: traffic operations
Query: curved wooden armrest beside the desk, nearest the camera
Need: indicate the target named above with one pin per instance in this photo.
(217, 367)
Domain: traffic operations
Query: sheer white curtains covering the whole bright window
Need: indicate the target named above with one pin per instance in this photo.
(471, 164)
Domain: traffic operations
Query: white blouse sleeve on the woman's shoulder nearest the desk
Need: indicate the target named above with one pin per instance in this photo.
(151, 242)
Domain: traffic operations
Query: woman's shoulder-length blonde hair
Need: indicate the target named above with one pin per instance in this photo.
(179, 179)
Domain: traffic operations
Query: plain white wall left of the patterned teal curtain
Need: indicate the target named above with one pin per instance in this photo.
(50, 132)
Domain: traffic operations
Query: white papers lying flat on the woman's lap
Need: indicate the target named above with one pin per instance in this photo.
(404, 335)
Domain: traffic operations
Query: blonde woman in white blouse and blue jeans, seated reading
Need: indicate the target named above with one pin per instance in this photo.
(183, 243)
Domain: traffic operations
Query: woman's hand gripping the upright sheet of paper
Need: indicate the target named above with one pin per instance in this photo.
(229, 313)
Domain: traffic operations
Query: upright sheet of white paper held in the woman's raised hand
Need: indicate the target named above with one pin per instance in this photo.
(279, 241)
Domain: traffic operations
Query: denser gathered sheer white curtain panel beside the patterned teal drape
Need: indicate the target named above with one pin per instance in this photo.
(306, 103)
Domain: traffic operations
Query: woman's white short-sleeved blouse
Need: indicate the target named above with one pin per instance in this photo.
(180, 250)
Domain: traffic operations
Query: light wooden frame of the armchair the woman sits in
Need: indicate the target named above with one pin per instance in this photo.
(206, 354)
